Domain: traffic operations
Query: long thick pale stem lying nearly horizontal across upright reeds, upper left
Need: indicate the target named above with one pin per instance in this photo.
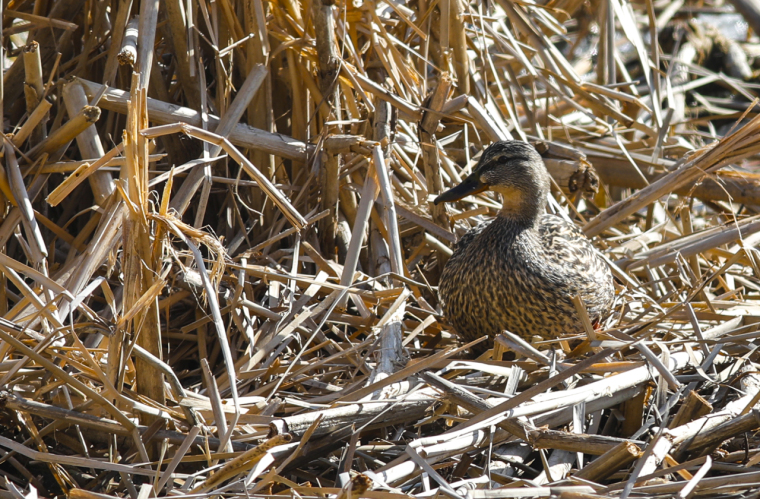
(162, 113)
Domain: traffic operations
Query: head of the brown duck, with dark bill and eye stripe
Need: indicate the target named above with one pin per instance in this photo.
(515, 170)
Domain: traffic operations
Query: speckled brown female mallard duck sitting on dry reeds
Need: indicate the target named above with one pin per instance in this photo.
(521, 271)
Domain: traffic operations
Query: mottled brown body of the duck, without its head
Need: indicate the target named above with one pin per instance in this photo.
(505, 276)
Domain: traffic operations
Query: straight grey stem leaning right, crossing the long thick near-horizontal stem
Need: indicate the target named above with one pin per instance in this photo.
(229, 121)
